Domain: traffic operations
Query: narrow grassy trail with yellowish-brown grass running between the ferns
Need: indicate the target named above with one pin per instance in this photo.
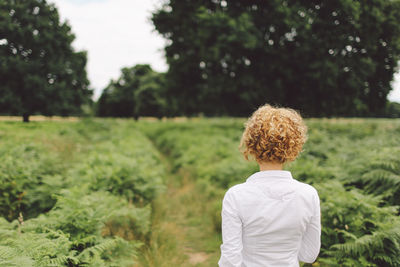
(182, 233)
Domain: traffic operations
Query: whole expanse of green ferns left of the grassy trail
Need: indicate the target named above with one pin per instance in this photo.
(92, 217)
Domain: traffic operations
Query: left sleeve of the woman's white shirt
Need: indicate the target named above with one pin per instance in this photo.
(231, 249)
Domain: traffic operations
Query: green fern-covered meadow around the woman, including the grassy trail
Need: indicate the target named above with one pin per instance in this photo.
(113, 192)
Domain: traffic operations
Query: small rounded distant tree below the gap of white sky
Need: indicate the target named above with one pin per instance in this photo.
(138, 92)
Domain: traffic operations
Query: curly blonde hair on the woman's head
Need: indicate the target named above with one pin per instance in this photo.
(273, 135)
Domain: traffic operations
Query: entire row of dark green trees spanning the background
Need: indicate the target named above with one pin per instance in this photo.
(225, 57)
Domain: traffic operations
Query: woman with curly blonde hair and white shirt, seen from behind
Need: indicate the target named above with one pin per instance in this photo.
(271, 219)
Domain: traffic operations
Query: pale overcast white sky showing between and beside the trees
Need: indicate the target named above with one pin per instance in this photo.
(118, 33)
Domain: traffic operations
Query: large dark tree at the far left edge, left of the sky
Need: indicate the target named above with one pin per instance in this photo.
(39, 70)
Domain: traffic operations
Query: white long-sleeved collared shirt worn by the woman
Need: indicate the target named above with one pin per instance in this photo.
(270, 220)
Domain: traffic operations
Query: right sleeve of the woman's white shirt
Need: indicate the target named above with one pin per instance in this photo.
(311, 242)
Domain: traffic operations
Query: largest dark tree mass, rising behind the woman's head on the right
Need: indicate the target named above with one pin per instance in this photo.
(326, 58)
